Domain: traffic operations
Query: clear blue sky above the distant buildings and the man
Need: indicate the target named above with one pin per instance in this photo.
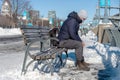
(64, 7)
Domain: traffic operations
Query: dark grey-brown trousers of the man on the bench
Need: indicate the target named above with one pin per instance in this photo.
(73, 44)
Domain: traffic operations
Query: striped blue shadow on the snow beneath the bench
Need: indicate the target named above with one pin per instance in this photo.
(42, 66)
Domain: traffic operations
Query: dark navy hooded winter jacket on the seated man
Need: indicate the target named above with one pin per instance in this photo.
(70, 27)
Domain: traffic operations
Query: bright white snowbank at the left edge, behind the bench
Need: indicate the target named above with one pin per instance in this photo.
(7, 31)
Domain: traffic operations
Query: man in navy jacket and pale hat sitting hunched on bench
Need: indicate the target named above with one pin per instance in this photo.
(69, 38)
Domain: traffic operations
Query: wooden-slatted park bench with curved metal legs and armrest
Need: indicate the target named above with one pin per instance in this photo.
(39, 46)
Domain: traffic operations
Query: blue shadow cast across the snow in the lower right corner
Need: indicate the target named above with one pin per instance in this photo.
(110, 60)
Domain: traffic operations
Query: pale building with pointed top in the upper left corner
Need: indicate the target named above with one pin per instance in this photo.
(6, 8)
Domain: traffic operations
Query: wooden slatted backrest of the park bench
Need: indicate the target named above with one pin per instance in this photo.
(31, 33)
